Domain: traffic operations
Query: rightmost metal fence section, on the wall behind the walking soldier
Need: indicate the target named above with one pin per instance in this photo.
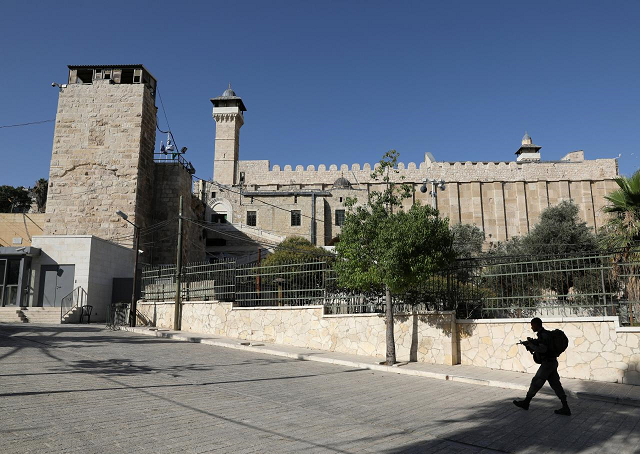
(504, 287)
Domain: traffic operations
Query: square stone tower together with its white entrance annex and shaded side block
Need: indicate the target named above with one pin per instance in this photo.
(103, 161)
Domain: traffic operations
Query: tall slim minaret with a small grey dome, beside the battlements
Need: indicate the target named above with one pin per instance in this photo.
(228, 114)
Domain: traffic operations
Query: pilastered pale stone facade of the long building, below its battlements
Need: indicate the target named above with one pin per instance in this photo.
(501, 209)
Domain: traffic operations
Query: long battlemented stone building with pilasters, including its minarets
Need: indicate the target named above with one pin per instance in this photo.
(254, 204)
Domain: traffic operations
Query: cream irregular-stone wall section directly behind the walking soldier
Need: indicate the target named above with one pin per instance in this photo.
(599, 349)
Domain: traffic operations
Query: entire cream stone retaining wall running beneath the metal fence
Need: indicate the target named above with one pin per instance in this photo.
(599, 349)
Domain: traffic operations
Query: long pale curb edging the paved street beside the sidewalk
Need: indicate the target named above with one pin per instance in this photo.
(258, 347)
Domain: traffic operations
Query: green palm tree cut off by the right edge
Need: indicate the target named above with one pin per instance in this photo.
(622, 233)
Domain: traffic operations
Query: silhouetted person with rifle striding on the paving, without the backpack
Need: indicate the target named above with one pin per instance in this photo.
(543, 354)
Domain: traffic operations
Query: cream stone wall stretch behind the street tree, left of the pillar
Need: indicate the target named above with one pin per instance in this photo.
(426, 337)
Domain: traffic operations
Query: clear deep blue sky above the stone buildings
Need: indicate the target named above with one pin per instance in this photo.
(342, 82)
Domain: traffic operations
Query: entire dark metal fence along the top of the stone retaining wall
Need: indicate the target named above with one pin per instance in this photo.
(490, 287)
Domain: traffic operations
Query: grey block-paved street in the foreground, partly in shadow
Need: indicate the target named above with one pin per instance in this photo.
(85, 389)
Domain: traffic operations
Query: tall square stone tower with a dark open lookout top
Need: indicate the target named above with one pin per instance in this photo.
(102, 158)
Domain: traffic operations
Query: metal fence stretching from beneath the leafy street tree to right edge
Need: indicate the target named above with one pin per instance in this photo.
(514, 287)
